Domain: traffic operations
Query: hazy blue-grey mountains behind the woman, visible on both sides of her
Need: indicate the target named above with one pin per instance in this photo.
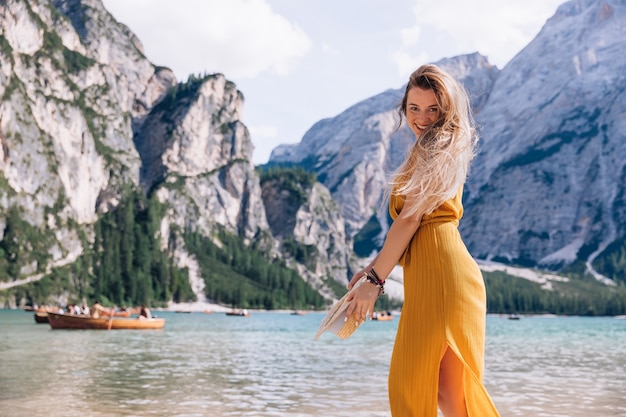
(547, 188)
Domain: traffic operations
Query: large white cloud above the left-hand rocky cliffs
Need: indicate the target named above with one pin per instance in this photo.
(240, 38)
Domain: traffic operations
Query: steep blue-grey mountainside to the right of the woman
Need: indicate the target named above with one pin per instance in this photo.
(553, 148)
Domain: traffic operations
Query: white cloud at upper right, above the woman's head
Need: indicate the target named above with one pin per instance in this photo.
(495, 28)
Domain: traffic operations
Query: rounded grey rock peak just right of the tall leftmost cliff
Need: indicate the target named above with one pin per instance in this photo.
(197, 153)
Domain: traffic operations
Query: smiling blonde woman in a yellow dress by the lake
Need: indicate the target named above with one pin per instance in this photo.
(438, 353)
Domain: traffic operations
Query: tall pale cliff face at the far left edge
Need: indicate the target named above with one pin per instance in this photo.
(71, 86)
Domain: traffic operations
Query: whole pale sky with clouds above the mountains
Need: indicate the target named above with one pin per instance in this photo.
(300, 61)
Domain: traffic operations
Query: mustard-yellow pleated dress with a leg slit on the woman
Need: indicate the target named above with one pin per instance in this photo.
(444, 306)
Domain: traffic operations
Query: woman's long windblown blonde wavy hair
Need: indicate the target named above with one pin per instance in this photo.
(438, 162)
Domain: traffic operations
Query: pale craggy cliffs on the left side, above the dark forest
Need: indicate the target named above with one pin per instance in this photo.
(85, 116)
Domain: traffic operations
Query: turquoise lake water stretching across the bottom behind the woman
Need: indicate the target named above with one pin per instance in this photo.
(268, 365)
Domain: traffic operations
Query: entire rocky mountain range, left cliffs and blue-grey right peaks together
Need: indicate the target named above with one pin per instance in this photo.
(85, 117)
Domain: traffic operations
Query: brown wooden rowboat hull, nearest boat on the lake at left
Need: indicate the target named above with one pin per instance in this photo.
(68, 321)
